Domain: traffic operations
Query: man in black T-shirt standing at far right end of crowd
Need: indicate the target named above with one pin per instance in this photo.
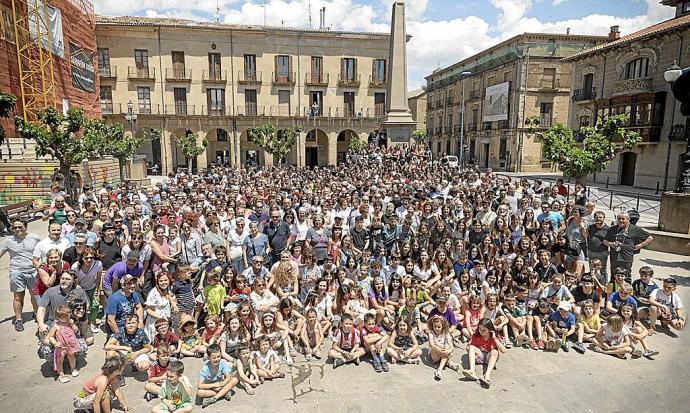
(625, 240)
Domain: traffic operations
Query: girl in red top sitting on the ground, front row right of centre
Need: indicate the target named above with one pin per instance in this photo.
(484, 347)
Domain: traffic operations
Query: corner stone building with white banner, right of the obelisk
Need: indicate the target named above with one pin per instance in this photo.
(517, 79)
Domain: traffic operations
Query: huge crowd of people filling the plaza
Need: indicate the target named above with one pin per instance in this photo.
(390, 257)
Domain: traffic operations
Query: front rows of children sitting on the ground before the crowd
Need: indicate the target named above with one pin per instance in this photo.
(539, 317)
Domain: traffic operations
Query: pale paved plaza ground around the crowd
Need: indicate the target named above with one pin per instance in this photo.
(525, 380)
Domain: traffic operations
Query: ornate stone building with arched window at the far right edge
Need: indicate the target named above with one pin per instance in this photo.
(626, 75)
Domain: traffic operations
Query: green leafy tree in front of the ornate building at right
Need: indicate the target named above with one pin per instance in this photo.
(601, 144)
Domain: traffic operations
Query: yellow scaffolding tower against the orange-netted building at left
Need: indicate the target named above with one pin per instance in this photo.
(36, 75)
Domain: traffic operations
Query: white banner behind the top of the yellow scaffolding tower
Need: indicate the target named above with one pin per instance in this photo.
(48, 20)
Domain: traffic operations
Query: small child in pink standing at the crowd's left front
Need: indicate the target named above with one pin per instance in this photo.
(63, 337)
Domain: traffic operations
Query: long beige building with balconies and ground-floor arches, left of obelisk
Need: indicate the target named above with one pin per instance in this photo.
(218, 80)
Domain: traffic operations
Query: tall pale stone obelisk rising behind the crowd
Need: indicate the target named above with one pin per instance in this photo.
(398, 121)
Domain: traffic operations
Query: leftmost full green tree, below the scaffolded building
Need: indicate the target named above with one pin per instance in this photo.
(60, 137)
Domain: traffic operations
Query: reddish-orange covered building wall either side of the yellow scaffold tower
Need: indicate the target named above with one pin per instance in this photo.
(78, 28)
